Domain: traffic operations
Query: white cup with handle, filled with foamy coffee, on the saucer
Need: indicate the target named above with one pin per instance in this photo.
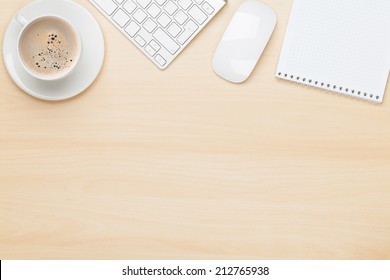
(52, 61)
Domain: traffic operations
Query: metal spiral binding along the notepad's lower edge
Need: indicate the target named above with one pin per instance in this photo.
(336, 88)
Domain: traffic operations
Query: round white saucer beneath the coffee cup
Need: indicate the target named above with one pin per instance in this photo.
(91, 59)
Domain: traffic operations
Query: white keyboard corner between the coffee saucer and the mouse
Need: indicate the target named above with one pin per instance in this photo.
(161, 29)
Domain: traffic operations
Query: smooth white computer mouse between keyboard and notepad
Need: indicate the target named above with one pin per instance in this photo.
(244, 41)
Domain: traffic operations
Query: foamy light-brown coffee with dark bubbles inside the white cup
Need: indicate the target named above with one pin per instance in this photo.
(49, 47)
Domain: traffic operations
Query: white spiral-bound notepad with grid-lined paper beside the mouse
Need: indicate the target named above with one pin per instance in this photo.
(338, 45)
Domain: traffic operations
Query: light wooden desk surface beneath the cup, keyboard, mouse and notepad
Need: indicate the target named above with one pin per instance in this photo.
(180, 164)
